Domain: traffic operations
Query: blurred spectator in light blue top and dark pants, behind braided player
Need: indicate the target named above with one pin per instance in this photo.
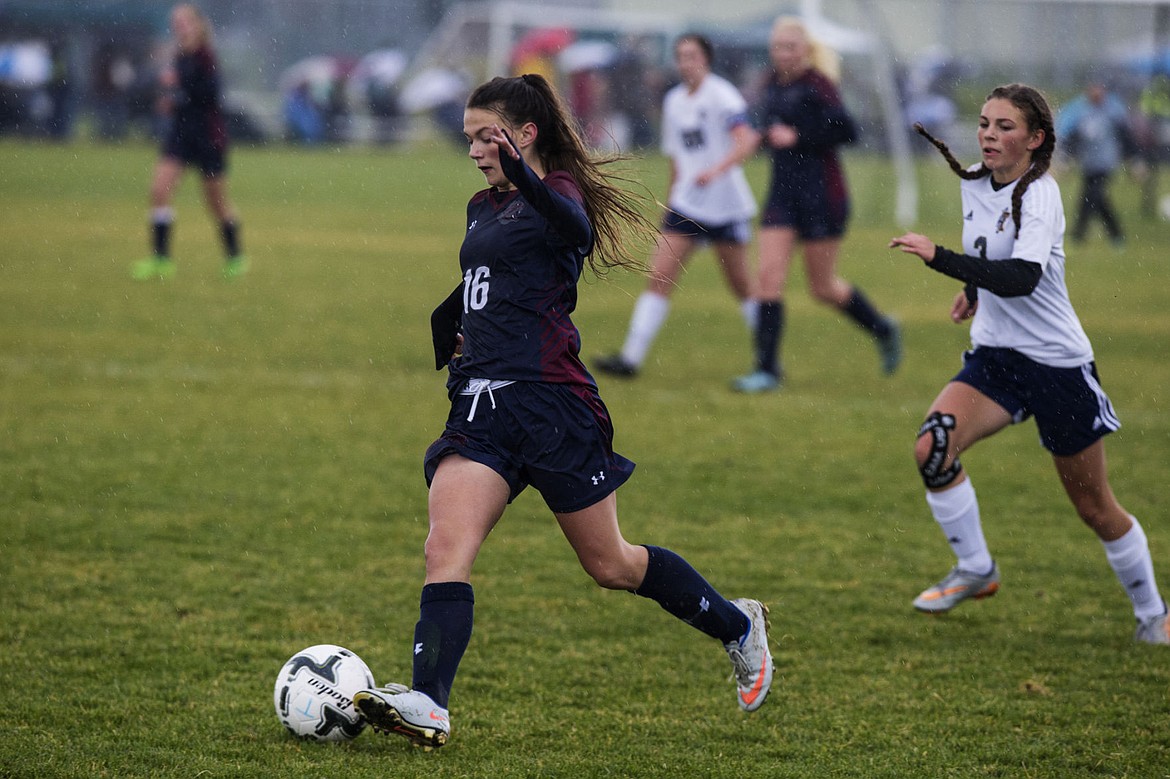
(1095, 130)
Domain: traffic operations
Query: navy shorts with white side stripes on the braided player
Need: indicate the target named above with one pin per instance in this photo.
(1072, 411)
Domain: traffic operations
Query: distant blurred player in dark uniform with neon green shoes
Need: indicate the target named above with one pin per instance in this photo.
(196, 136)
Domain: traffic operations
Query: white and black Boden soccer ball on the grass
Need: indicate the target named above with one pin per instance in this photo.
(314, 694)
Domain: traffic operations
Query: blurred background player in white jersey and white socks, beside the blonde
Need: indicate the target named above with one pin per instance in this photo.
(707, 136)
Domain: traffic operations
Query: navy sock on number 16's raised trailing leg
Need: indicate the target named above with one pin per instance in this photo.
(684, 592)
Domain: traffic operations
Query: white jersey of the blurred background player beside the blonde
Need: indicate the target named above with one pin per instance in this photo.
(697, 135)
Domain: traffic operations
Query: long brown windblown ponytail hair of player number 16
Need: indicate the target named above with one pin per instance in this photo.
(616, 213)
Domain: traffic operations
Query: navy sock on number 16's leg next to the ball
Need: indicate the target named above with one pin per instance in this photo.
(441, 637)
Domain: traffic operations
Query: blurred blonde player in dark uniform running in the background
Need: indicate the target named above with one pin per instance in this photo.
(803, 121)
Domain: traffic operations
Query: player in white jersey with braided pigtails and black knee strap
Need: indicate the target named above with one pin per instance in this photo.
(1030, 359)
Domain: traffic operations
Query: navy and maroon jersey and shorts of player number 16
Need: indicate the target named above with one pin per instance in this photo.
(522, 401)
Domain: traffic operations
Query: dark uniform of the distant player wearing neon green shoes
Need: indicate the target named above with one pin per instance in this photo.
(197, 135)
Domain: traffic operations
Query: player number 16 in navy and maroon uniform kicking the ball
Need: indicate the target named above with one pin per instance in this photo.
(525, 409)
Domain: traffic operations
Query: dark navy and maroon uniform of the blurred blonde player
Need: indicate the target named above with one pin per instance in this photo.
(808, 187)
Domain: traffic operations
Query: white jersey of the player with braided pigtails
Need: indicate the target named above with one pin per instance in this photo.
(1042, 326)
